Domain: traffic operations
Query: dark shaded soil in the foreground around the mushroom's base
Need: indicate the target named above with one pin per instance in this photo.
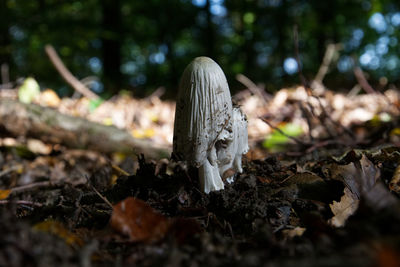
(262, 219)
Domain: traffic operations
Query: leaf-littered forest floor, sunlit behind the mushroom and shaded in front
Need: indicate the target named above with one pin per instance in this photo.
(320, 187)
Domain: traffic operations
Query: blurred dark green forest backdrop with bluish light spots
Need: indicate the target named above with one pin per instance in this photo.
(143, 45)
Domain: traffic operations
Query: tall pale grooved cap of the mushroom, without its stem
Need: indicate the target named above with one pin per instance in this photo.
(203, 112)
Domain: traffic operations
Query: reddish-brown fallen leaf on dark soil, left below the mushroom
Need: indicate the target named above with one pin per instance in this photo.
(138, 220)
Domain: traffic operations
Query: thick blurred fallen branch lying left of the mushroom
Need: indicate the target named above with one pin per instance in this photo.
(50, 126)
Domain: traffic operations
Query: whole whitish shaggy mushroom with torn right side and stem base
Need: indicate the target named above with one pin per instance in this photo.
(204, 128)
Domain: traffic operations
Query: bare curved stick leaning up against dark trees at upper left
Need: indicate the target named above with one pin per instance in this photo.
(67, 75)
